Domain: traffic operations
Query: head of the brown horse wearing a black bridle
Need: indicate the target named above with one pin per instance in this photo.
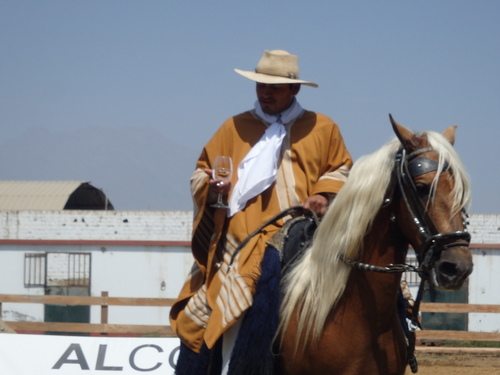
(431, 214)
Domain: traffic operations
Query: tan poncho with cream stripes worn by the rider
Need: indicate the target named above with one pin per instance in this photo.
(314, 160)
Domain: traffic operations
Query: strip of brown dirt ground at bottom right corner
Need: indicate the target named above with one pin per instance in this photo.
(457, 364)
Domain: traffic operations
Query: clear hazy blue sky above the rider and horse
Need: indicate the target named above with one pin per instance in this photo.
(168, 65)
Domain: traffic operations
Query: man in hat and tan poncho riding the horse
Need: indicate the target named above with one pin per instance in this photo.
(285, 156)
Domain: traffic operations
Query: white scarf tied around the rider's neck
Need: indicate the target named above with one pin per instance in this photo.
(257, 171)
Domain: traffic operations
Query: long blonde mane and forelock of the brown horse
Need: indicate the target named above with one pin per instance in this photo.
(317, 282)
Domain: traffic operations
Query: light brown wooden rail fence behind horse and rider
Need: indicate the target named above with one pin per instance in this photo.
(105, 328)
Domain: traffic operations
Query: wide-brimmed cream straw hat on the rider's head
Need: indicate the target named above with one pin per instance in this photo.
(276, 67)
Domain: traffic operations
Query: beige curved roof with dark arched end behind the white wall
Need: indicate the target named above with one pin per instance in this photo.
(52, 195)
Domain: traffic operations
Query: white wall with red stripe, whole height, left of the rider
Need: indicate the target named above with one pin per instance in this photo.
(132, 252)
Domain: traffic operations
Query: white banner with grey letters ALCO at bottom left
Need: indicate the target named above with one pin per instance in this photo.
(22, 354)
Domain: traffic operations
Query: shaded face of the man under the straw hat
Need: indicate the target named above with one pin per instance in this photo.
(274, 99)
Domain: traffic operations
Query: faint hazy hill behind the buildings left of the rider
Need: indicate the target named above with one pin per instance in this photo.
(137, 168)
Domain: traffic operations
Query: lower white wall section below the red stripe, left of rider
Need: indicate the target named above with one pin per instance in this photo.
(123, 271)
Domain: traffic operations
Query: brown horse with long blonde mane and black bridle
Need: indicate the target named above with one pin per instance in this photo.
(340, 319)
